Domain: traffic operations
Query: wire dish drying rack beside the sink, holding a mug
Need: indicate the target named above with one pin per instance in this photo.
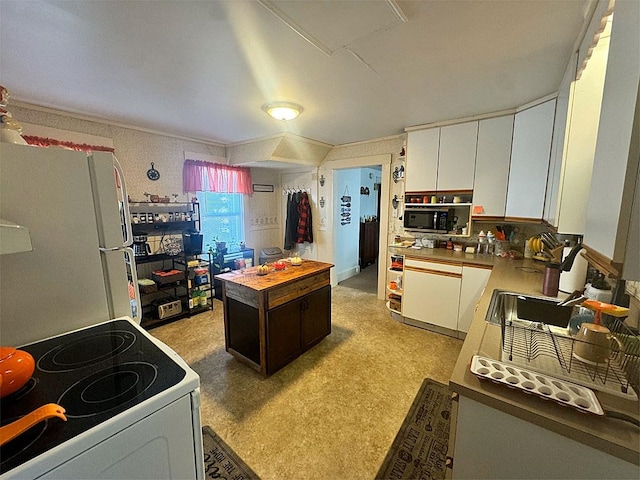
(549, 349)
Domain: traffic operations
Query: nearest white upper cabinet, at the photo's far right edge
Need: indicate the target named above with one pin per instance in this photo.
(611, 231)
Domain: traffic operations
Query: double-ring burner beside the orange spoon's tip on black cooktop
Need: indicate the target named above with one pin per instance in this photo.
(109, 389)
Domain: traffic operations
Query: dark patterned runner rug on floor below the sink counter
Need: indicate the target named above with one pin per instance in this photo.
(419, 450)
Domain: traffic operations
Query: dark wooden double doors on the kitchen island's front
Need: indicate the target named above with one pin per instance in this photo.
(296, 326)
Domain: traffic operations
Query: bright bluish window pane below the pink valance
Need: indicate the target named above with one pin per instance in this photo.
(221, 217)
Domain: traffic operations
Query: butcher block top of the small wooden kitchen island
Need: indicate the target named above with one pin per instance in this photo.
(275, 278)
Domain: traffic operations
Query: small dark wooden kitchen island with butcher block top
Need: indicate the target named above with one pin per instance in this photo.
(270, 320)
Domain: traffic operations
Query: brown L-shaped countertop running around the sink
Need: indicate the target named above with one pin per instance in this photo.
(615, 437)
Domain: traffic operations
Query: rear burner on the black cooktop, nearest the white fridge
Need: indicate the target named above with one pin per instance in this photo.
(86, 351)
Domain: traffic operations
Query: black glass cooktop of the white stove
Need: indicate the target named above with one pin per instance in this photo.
(94, 373)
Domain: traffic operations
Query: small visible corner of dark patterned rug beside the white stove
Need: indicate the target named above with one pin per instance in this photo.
(220, 461)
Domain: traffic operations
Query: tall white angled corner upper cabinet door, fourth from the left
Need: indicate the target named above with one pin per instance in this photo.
(532, 132)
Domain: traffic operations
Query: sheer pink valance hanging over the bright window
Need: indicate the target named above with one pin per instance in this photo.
(201, 176)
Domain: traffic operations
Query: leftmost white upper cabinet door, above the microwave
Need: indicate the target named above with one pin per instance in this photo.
(422, 160)
